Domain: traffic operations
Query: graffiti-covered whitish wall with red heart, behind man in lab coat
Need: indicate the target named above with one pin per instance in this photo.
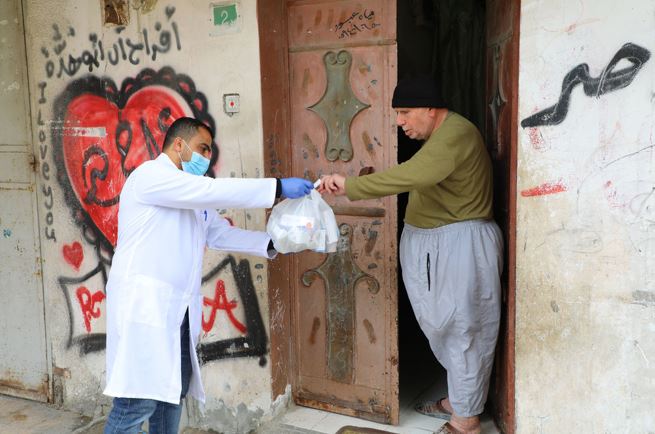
(110, 86)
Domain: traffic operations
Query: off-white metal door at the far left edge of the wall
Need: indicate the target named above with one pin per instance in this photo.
(23, 358)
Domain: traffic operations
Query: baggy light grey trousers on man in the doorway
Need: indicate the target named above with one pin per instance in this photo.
(452, 277)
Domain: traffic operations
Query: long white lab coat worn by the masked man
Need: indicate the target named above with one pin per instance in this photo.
(166, 219)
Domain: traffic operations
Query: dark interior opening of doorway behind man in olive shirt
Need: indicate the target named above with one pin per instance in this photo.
(444, 39)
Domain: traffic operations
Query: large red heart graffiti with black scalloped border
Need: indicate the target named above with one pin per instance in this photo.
(101, 135)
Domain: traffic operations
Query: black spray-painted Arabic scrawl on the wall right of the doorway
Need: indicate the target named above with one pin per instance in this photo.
(608, 81)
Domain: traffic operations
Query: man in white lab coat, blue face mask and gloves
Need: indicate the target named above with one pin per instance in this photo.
(167, 217)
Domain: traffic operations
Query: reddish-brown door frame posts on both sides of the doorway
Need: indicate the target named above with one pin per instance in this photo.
(274, 67)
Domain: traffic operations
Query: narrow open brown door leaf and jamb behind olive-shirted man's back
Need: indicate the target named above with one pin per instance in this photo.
(501, 131)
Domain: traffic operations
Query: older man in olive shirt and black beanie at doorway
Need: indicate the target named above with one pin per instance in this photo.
(450, 249)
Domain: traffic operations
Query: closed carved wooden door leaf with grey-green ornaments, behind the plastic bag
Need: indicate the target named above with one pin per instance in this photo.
(342, 71)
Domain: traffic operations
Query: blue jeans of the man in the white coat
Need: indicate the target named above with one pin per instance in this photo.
(128, 414)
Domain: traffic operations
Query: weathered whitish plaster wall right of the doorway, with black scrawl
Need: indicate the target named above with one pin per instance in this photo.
(585, 326)
